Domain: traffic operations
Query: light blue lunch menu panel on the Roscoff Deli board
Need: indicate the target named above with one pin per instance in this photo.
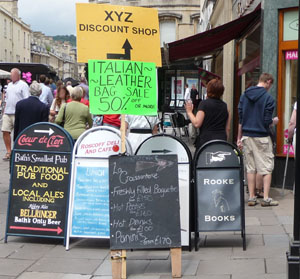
(91, 202)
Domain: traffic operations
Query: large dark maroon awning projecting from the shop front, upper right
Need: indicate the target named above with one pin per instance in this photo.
(213, 39)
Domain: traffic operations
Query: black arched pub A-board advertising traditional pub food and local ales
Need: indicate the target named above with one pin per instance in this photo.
(39, 182)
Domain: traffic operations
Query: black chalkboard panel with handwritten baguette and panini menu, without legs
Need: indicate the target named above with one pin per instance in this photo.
(144, 202)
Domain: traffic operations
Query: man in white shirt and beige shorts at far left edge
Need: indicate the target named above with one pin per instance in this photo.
(16, 90)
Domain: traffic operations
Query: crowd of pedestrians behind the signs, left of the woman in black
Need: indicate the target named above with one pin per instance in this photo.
(64, 105)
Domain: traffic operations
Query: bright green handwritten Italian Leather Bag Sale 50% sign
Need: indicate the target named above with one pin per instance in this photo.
(122, 87)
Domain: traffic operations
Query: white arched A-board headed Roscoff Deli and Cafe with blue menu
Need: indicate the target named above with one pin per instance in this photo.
(89, 197)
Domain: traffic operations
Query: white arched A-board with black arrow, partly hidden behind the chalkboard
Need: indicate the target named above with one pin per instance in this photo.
(166, 144)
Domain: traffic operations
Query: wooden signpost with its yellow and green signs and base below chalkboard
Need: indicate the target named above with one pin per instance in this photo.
(127, 34)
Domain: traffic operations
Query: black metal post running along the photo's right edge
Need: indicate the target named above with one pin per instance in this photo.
(293, 255)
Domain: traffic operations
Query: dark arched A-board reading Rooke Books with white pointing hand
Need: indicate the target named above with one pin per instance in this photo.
(219, 189)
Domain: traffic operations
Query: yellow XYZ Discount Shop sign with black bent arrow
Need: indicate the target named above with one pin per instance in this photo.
(117, 32)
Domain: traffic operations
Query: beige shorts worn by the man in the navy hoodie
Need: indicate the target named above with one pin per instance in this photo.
(258, 155)
